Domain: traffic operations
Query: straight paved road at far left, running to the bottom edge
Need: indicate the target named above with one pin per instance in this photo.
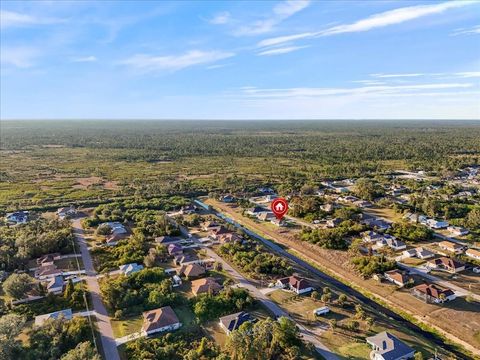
(103, 320)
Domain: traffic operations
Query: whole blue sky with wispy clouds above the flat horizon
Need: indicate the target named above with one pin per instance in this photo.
(240, 60)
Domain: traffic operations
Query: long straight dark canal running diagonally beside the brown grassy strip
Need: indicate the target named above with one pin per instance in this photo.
(343, 287)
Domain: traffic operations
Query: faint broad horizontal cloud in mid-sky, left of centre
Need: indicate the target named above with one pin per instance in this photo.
(151, 63)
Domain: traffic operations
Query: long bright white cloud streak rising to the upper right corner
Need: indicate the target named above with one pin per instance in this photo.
(387, 18)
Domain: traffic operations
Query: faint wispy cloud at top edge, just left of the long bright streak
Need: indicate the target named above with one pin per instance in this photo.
(280, 12)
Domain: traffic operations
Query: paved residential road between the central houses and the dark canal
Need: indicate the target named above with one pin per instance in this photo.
(276, 310)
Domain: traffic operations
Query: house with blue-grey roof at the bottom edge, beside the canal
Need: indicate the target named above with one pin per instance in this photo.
(386, 346)
